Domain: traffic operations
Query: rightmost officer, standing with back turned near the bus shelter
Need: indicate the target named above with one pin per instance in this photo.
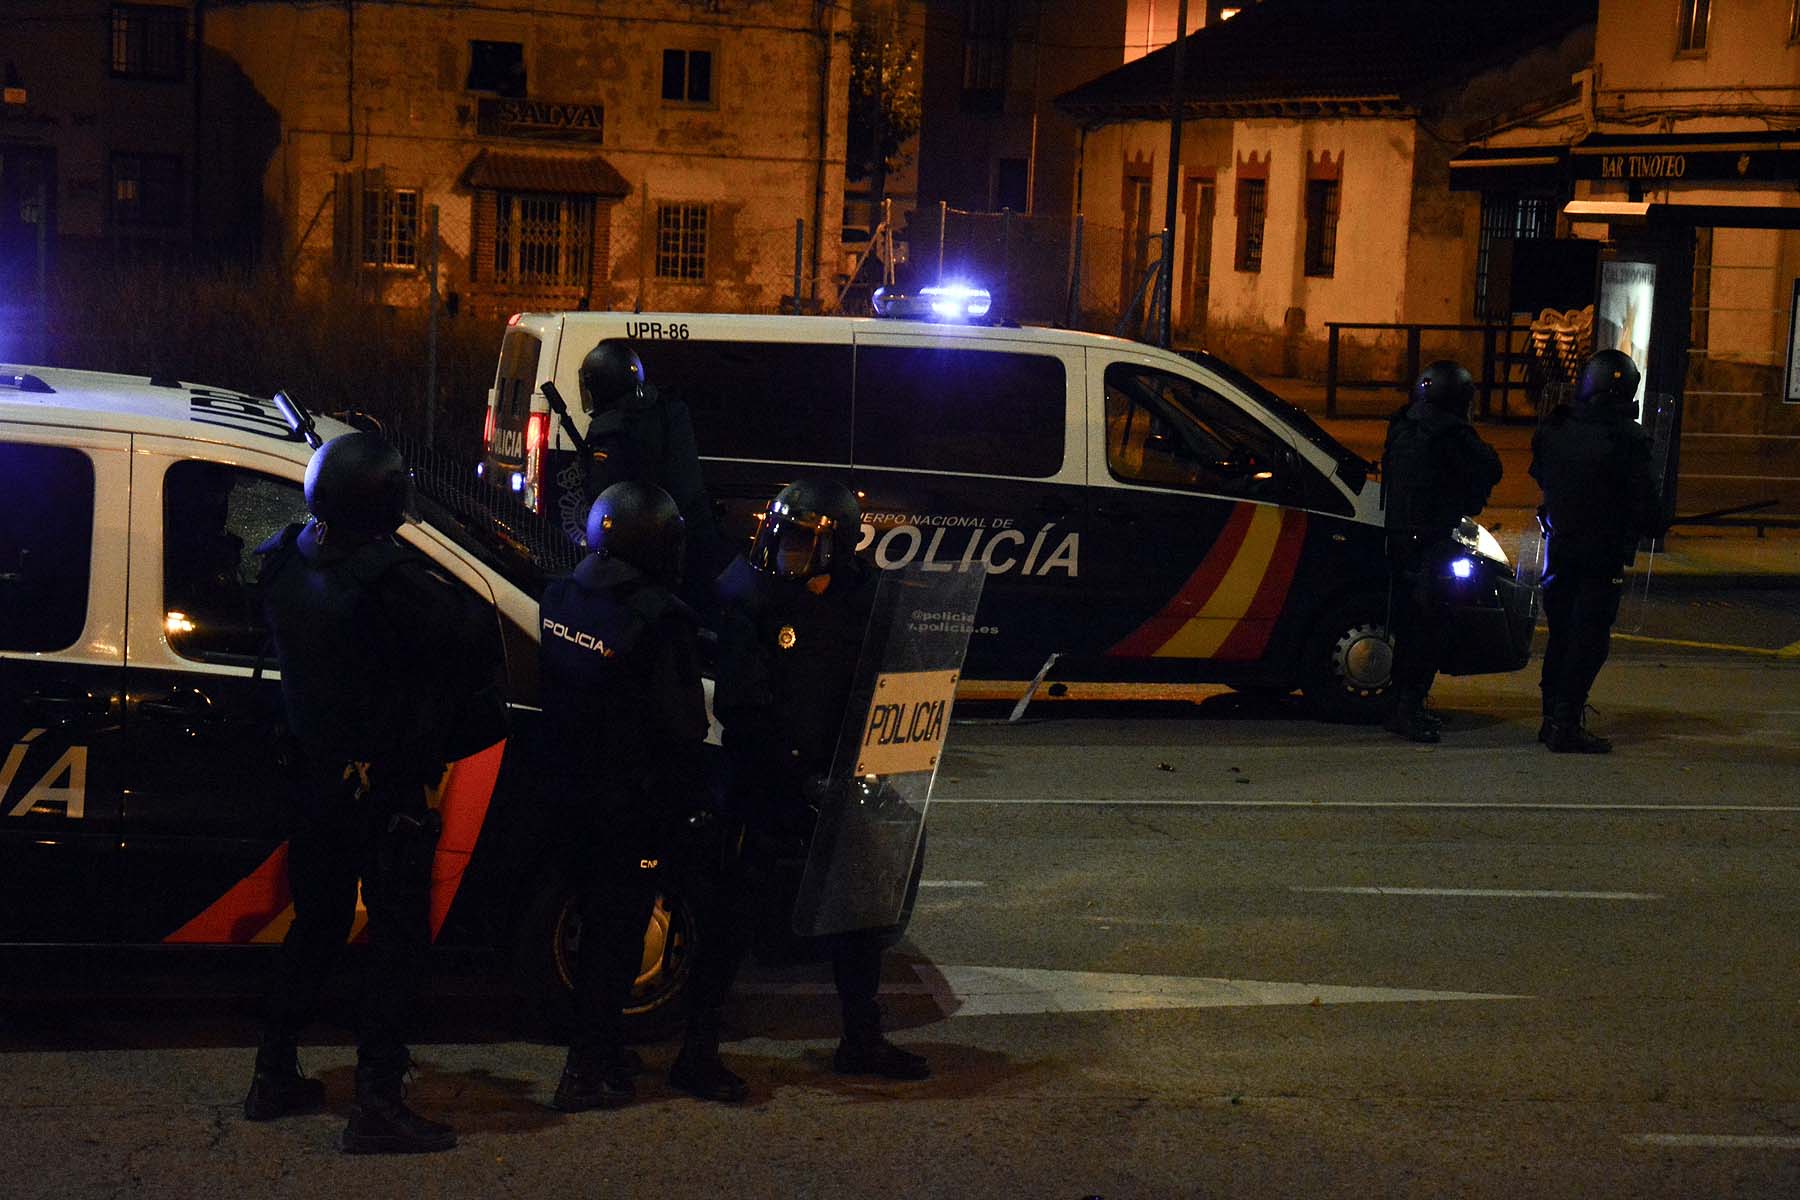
(1601, 496)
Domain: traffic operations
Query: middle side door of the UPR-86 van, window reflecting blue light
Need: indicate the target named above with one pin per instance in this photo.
(971, 454)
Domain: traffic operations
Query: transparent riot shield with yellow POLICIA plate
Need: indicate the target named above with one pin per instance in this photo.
(872, 807)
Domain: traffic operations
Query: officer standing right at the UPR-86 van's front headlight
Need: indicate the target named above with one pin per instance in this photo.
(1435, 470)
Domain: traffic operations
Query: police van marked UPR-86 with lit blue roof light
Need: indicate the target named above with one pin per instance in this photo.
(1140, 514)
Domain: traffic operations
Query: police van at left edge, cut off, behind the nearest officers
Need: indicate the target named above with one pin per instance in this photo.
(139, 708)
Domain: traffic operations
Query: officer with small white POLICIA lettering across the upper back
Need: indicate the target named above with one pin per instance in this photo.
(627, 722)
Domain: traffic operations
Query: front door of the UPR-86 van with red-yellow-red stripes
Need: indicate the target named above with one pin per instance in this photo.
(1194, 517)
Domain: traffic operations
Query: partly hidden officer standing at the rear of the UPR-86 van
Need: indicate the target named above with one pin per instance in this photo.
(640, 434)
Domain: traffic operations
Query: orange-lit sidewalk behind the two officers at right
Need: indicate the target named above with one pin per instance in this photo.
(1702, 555)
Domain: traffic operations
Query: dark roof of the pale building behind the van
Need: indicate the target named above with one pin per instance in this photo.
(1383, 53)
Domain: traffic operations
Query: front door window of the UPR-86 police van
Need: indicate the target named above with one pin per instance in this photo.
(1165, 429)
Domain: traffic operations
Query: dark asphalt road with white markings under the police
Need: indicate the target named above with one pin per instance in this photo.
(1162, 951)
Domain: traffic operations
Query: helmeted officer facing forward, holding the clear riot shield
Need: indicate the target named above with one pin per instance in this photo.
(795, 618)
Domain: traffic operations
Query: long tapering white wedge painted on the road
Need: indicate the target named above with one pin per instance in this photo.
(1032, 992)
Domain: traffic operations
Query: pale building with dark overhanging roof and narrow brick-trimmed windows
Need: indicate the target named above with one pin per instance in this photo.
(1313, 168)
